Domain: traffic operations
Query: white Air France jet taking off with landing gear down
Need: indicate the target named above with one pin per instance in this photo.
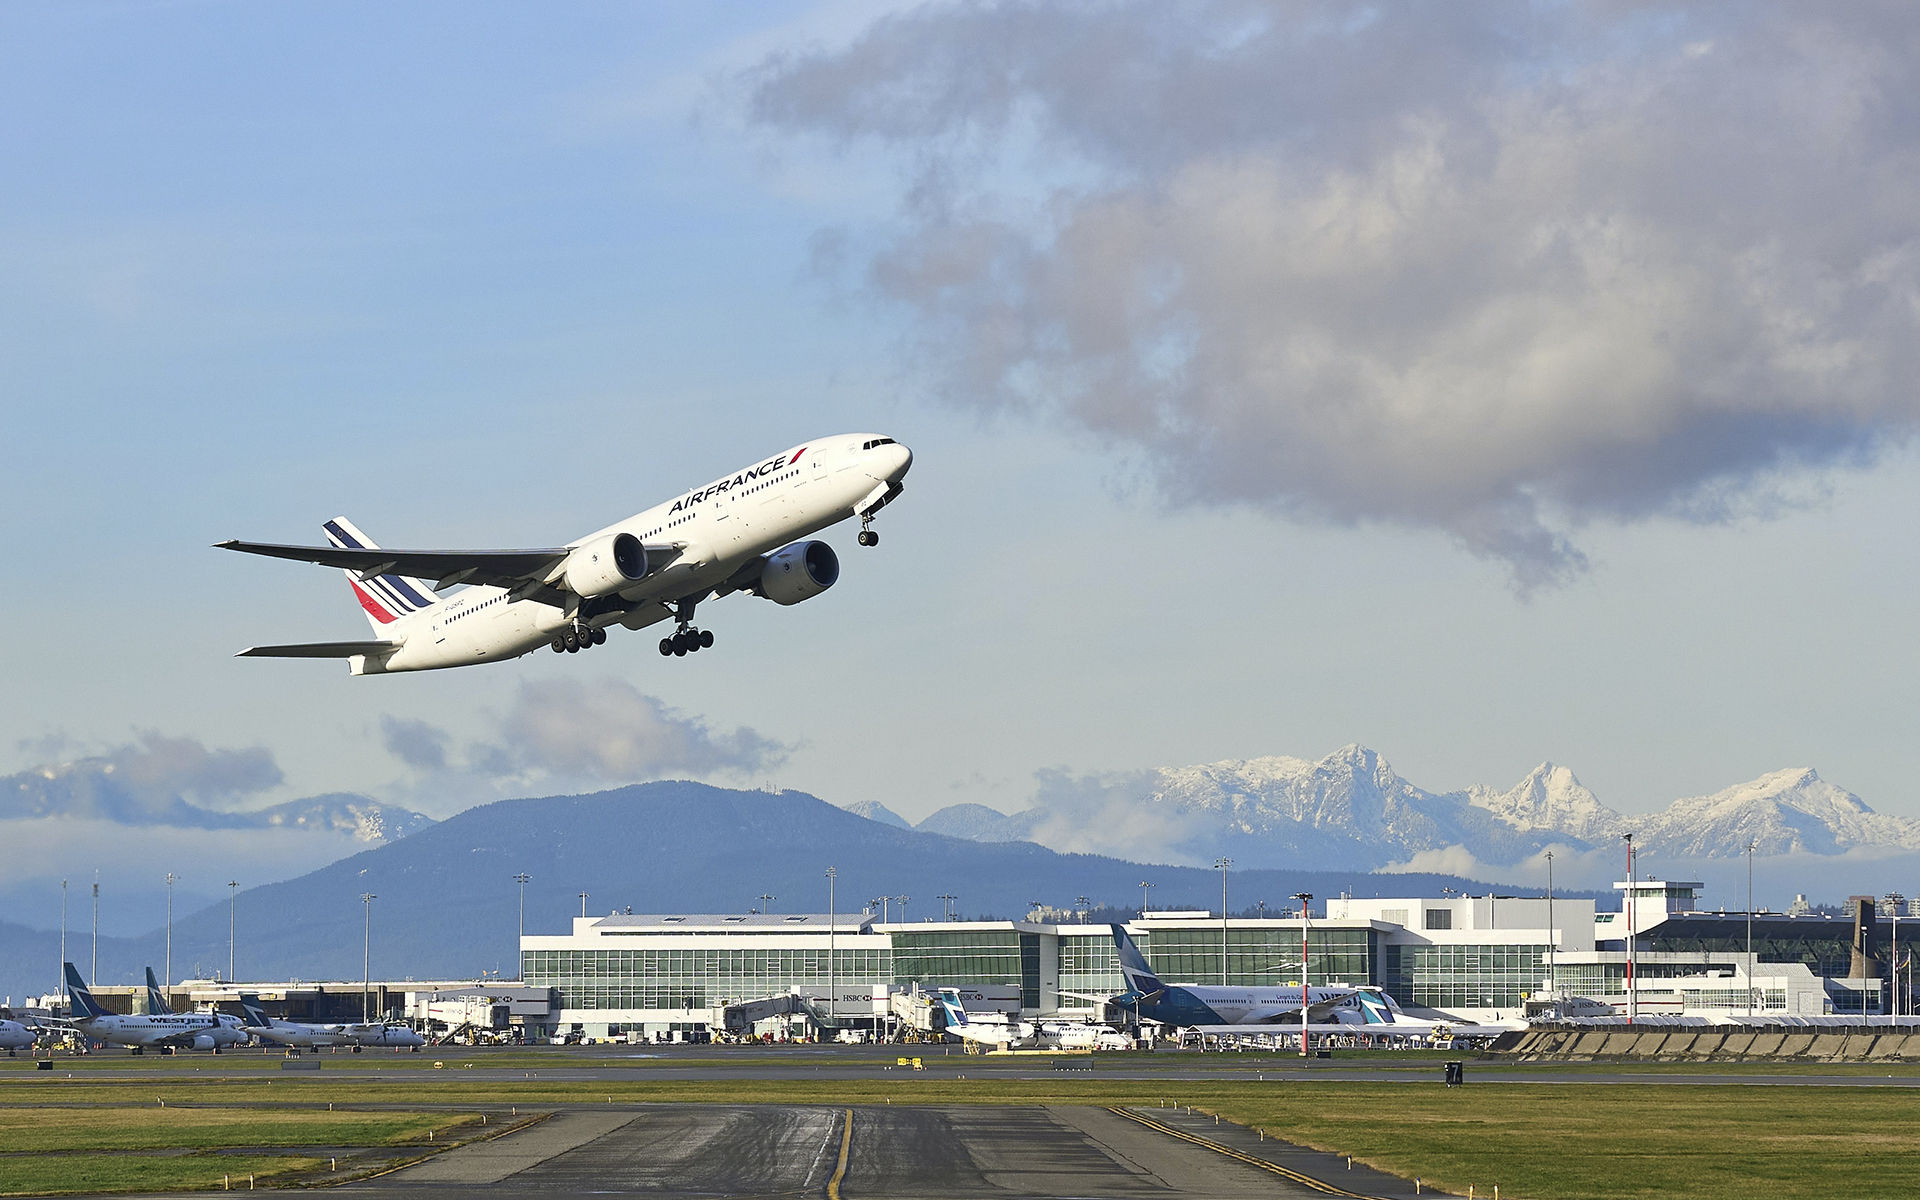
(750, 531)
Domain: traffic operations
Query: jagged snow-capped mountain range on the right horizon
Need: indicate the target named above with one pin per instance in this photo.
(1353, 811)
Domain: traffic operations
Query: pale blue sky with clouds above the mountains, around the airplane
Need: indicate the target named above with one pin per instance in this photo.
(1485, 385)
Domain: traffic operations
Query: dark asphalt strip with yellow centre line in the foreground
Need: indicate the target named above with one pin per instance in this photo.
(907, 1153)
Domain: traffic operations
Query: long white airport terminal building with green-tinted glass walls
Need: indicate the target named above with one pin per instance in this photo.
(1468, 959)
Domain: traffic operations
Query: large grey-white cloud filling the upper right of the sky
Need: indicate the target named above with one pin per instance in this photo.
(1497, 272)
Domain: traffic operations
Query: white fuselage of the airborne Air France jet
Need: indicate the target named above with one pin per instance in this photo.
(721, 527)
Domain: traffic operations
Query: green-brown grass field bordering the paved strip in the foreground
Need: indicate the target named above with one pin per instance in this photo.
(1541, 1141)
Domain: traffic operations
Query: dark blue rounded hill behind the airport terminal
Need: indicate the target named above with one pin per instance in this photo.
(446, 900)
